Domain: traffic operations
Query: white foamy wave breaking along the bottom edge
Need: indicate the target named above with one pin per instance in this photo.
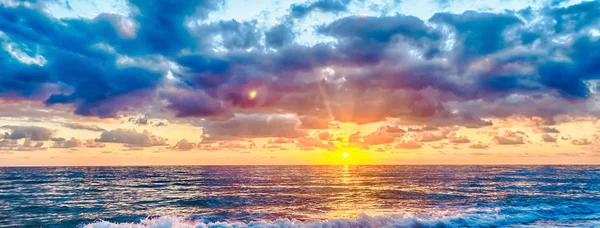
(480, 218)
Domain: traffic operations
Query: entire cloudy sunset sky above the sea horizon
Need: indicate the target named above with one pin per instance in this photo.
(286, 82)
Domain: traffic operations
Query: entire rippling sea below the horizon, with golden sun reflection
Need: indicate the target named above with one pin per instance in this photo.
(301, 196)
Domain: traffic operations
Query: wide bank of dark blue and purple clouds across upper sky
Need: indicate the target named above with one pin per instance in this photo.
(452, 69)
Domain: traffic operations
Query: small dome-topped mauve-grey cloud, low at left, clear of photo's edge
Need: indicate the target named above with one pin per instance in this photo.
(131, 138)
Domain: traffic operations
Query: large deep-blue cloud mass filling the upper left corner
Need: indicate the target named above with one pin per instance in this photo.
(71, 49)
